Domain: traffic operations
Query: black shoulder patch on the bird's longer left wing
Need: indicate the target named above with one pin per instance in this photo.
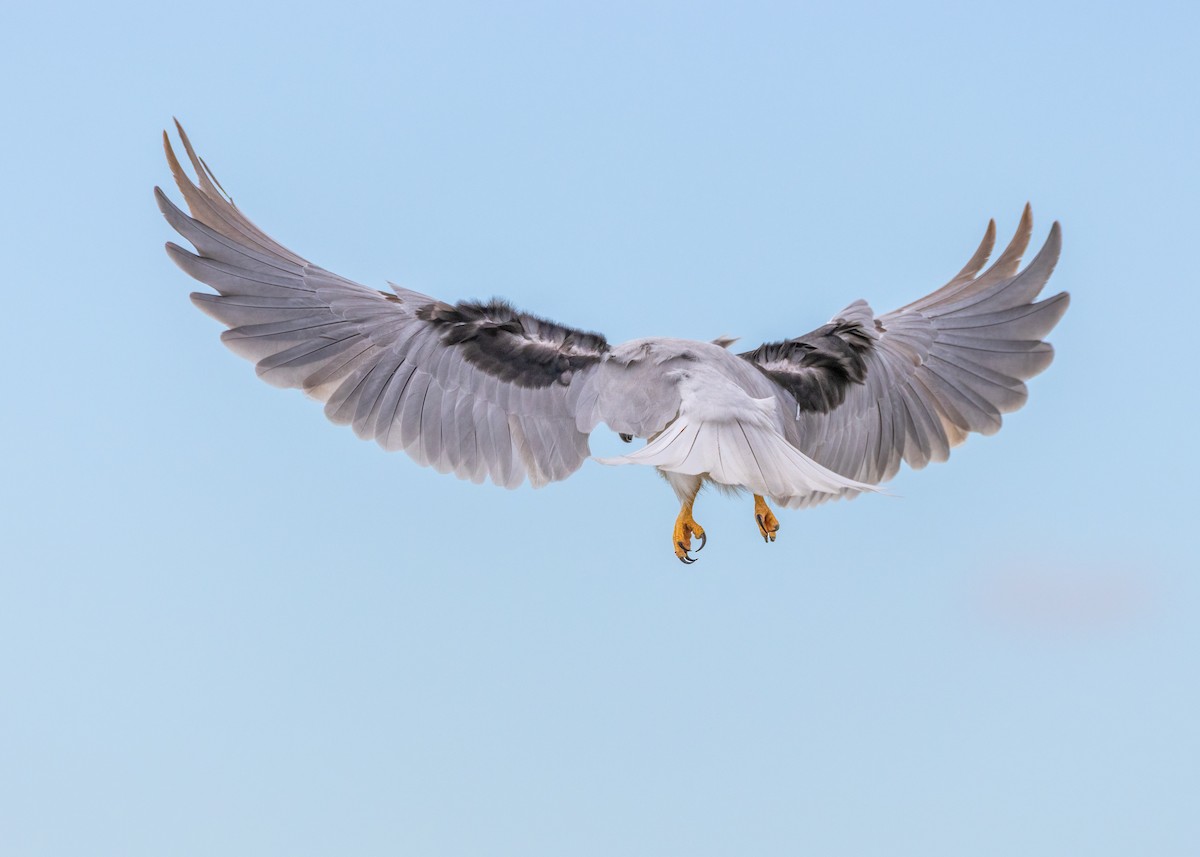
(514, 346)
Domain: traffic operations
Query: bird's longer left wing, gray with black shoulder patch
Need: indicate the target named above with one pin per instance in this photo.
(475, 388)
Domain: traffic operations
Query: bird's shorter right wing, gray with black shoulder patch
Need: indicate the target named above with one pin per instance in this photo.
(871, 392)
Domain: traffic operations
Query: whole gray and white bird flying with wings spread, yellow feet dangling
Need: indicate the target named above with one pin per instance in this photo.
(488, 392)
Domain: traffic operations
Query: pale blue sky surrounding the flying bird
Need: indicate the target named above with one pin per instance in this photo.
(231, 628)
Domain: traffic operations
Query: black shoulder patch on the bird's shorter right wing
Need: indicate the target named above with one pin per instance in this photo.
(818, 369)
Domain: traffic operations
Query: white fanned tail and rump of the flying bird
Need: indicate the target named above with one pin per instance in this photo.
(733, 439)
